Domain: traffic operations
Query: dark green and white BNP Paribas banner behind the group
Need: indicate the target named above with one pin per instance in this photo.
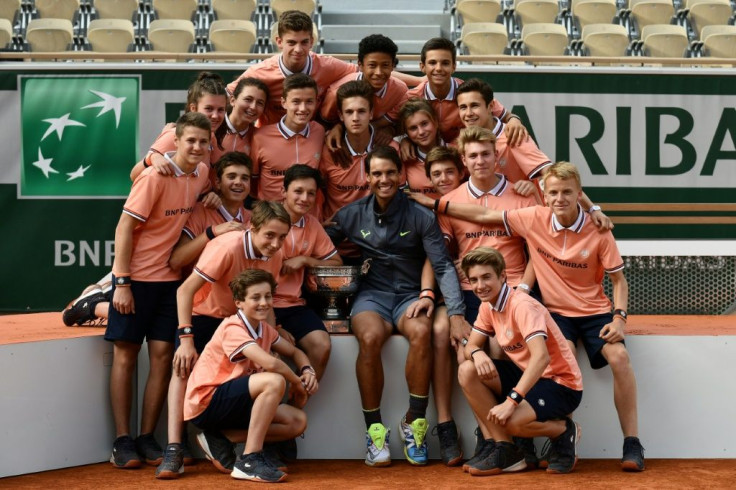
(656, 148)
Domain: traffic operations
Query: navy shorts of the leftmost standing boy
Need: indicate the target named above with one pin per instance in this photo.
(155, 315)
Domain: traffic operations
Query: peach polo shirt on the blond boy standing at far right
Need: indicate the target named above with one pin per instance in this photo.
(569, 262)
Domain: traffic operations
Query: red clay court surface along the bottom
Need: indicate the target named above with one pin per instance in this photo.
(351, 474)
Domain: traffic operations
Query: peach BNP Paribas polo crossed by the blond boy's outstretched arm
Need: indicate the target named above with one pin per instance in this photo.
(468, 236)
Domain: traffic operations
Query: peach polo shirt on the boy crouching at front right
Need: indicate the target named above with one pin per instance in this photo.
(514, 320)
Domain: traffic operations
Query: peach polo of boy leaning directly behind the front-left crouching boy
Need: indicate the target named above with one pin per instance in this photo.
(221, 260)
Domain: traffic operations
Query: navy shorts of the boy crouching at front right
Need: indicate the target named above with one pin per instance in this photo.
(548, 399)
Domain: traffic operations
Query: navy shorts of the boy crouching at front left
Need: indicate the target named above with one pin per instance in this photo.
(229, 408)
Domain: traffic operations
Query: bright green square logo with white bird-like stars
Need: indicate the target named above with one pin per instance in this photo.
(80, 136)
